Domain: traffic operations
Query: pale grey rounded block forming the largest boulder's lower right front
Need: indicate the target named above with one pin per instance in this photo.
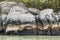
(27, 18)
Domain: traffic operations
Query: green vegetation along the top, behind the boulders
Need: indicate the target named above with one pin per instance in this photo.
(41, 4)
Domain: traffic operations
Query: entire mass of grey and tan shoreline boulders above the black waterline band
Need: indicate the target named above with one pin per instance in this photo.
(21, 17)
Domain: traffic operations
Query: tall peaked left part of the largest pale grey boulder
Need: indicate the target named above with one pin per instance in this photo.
(15, 13)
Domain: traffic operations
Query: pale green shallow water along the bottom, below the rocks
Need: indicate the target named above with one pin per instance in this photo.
(16, 37)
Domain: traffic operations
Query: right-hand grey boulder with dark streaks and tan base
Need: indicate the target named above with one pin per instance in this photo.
(45, 18)
